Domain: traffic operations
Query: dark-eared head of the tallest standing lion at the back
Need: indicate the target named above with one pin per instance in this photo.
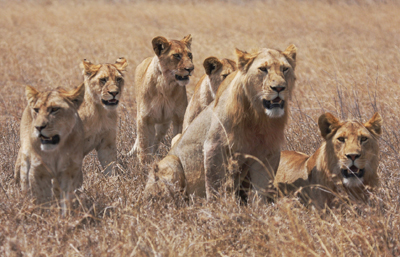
(175, 58)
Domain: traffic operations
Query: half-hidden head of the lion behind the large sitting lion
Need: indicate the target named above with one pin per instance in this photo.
(217, 70)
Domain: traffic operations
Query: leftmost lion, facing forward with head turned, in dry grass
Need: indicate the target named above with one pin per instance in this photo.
(51, 153)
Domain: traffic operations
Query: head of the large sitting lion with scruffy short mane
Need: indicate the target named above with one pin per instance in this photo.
(271, 73)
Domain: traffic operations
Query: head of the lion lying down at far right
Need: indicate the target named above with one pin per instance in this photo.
(353, 148)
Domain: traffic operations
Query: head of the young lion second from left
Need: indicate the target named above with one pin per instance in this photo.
(105, 82)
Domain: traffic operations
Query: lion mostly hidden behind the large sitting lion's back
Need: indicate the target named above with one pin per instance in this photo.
(206, 89)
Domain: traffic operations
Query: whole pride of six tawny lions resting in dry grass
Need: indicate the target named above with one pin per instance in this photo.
(231, 131)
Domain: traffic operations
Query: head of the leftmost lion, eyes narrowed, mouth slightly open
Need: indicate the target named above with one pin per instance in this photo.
(54, 115)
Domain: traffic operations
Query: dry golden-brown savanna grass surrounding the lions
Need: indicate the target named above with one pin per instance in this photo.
(348, 64)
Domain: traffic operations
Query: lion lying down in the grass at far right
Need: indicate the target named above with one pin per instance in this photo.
(347, 162)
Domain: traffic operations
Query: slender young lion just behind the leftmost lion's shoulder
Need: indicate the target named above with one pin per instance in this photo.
(104, 85)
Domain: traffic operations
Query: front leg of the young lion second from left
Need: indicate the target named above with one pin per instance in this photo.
(107, 153)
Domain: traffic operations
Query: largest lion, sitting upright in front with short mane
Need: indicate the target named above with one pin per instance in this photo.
(245, 123)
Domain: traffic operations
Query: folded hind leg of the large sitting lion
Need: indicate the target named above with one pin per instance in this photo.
(166, 178)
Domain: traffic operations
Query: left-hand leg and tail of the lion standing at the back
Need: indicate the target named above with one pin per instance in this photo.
(145, 135)
